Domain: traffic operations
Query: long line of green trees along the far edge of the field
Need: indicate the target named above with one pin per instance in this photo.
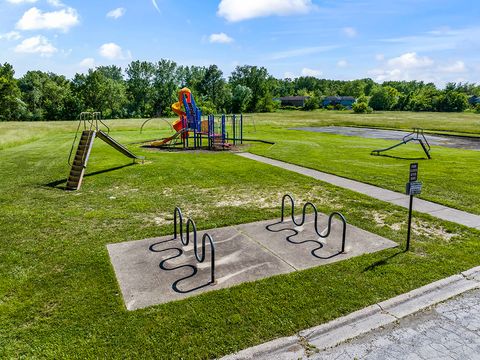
(145, 89)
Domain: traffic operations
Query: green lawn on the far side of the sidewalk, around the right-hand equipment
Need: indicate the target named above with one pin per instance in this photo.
(451, 177)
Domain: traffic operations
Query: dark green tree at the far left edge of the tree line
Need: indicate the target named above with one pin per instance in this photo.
(10, 95)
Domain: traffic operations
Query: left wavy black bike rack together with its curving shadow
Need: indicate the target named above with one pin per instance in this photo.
(200, 256)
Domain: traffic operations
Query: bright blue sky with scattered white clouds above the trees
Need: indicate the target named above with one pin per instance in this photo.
(433, 41)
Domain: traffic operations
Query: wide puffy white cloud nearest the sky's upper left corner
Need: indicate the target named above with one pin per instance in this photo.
(35, 19)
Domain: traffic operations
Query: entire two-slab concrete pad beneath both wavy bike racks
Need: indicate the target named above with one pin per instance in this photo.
(243, 253)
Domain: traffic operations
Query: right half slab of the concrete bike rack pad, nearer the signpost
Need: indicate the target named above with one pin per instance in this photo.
(298, 251)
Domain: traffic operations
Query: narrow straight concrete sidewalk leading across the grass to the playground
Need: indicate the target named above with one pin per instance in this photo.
(427, 207)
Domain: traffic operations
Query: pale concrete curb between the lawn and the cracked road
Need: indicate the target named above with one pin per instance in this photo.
(362, 321)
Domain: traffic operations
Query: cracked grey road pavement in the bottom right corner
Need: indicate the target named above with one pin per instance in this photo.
(450, 330)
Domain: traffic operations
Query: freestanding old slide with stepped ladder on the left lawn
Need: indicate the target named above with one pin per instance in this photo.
(91, 129)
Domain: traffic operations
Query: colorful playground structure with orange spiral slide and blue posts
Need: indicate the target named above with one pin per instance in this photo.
(193, 132)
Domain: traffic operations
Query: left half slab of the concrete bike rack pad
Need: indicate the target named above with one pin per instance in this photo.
(144, 283)
